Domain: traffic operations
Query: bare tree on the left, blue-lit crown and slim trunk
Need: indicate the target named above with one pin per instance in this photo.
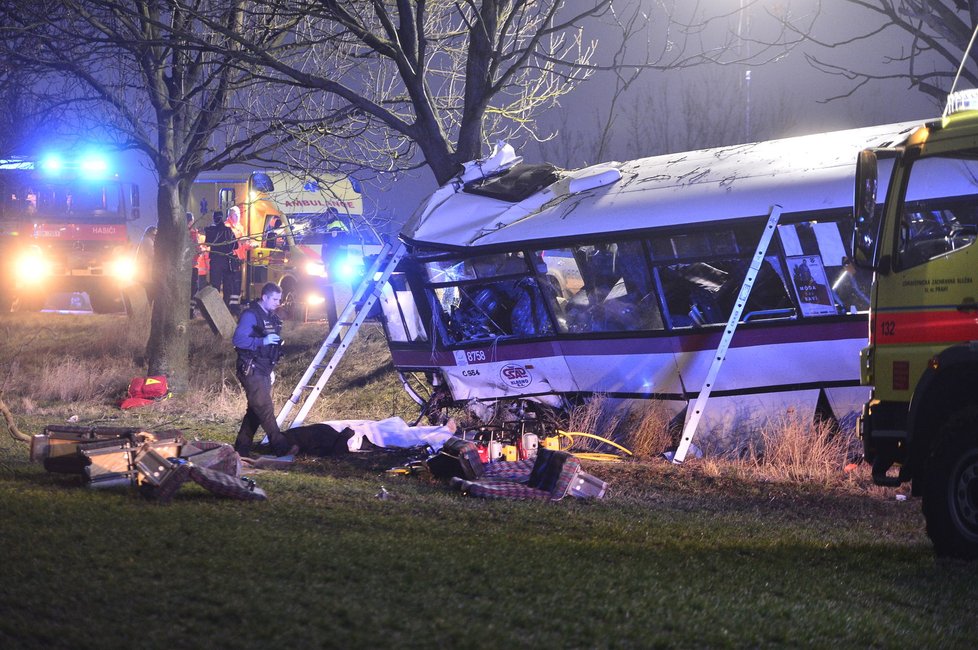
(155, 77)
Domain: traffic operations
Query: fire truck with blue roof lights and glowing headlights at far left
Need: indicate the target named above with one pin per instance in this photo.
(63, 229)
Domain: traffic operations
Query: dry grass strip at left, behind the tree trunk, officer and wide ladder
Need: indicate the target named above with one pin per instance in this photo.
(55, 366)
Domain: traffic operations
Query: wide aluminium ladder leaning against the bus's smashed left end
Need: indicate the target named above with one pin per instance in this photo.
(341, 336)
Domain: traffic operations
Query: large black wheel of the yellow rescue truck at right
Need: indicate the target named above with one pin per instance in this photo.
(951, 489)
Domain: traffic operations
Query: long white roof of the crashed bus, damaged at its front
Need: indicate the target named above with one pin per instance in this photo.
(805, 173)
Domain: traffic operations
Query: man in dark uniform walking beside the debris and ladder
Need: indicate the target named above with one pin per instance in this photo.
(257, 340)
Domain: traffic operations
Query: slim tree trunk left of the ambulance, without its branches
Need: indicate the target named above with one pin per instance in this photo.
(168, 348)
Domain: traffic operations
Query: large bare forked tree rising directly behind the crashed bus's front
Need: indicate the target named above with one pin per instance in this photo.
(391, 84)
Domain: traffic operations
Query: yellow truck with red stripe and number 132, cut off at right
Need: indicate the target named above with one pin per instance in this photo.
(922, 357)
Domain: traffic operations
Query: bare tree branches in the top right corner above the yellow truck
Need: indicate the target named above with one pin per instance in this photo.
(921, 42)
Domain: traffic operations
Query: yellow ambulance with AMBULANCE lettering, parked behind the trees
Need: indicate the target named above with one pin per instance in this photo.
(305, 234)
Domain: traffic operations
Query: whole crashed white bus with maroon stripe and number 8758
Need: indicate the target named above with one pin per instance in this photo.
(526, 282)
